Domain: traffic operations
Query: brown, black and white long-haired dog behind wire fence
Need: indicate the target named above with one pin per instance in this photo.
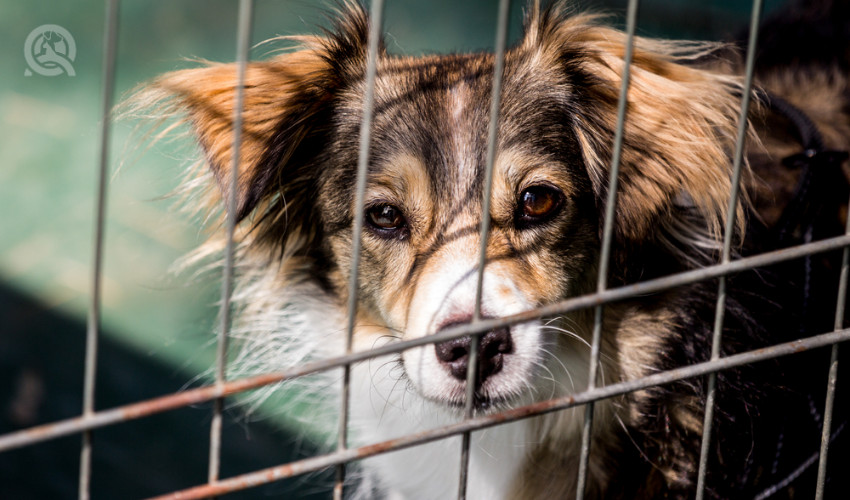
(422, 210)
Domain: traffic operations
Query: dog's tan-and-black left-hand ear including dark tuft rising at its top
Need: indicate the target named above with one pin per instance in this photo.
(285, 111)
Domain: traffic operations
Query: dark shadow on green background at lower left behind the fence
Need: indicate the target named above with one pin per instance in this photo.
(41, 381)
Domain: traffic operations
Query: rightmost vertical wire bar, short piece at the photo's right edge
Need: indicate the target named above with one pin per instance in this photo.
(833, 370)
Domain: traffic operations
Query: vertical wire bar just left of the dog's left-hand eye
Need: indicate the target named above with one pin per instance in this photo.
(375, 22)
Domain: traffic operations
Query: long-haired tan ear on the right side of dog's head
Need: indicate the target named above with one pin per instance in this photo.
(679, 136)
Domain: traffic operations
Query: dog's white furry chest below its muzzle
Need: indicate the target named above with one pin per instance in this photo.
(384, 408)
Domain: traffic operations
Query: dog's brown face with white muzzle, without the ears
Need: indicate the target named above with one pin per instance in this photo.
(423, 209)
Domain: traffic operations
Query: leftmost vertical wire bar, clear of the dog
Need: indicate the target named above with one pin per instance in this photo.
(110, 42)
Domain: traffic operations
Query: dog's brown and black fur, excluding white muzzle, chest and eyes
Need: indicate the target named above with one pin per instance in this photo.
(301, 122)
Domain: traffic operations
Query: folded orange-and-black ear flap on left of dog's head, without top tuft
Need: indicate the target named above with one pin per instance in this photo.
(282, 100)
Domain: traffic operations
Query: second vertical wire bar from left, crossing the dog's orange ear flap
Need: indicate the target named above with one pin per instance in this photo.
(243, 42)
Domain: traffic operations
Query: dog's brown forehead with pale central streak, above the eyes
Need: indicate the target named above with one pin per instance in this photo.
(437, 109)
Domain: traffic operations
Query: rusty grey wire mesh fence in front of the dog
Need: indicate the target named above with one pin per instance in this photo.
(91, 420)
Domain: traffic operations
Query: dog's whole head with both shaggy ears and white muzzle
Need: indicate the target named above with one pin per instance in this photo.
(423, 203)
